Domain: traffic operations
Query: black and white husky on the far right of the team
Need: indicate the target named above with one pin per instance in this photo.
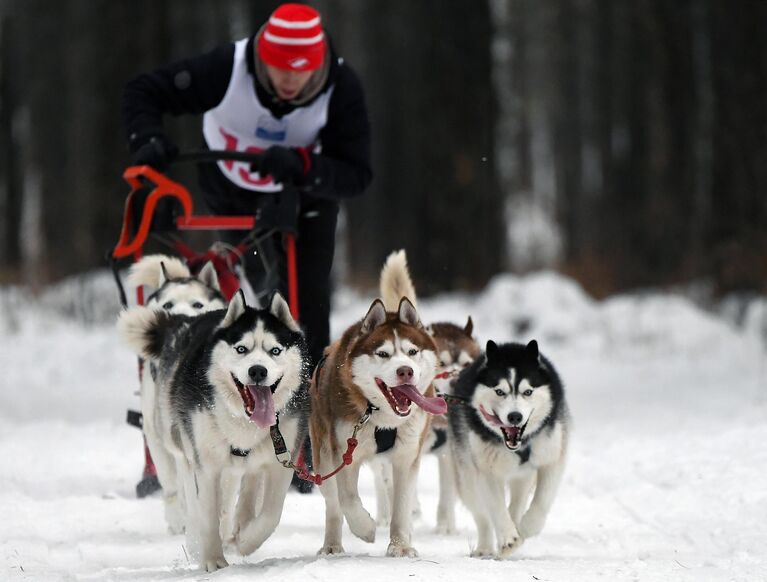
(508, 429)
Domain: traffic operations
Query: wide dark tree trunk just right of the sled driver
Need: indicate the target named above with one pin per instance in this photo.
(433, 113)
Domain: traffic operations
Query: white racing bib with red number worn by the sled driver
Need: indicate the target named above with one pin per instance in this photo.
(241, 123)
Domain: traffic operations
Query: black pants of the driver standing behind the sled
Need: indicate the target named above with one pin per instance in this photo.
(315, 245)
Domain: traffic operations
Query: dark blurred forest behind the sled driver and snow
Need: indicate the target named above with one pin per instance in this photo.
(623, 142)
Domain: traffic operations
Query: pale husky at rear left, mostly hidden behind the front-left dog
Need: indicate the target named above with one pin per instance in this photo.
(175, 290)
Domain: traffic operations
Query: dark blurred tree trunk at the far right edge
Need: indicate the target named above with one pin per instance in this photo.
(737, 239)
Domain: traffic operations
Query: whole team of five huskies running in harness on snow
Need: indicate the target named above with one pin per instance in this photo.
(224, 384)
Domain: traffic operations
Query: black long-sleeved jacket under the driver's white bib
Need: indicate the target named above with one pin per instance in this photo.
(197, 84)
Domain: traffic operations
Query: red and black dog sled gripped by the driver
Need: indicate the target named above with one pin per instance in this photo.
(150, 190)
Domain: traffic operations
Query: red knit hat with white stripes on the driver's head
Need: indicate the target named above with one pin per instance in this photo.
(293, 39)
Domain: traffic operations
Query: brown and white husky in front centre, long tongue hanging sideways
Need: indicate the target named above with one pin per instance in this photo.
(371, 378)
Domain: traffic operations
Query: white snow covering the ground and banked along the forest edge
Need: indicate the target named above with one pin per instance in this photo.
(667, 478)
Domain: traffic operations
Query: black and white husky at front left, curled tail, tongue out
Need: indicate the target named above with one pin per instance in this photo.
(224, 378)
